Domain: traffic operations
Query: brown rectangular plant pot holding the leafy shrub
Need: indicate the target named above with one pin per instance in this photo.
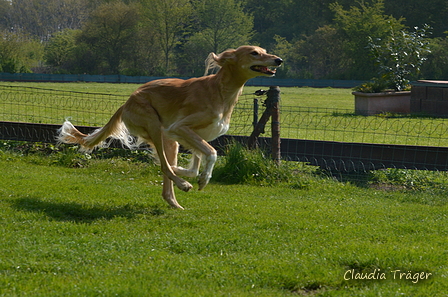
(375, 103)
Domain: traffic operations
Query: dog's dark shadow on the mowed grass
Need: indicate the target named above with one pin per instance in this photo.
(83, 213)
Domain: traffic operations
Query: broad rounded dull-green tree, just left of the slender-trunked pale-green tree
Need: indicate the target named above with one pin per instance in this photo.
(110, 33)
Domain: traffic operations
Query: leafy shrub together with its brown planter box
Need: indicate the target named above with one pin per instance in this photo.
(399, 58)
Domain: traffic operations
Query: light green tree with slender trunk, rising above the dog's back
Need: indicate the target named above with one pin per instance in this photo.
(169, 20)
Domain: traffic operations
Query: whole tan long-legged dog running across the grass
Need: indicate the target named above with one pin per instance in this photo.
(191, 112)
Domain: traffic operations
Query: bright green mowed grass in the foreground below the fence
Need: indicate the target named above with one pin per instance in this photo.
(74, 225)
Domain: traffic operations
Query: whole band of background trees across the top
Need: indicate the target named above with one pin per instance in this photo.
(317, 39)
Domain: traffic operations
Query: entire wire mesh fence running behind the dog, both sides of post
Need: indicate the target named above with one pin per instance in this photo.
(319, 136)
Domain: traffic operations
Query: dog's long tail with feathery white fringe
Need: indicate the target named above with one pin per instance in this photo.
(115, 129)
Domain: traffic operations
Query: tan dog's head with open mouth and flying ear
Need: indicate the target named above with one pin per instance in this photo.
(252, 60)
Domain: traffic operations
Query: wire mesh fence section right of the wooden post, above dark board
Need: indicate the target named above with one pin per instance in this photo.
(345, 126)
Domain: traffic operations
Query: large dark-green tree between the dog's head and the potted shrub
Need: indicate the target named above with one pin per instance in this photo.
(340, 50)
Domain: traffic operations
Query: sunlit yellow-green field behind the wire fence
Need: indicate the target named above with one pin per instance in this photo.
(306, 113)
